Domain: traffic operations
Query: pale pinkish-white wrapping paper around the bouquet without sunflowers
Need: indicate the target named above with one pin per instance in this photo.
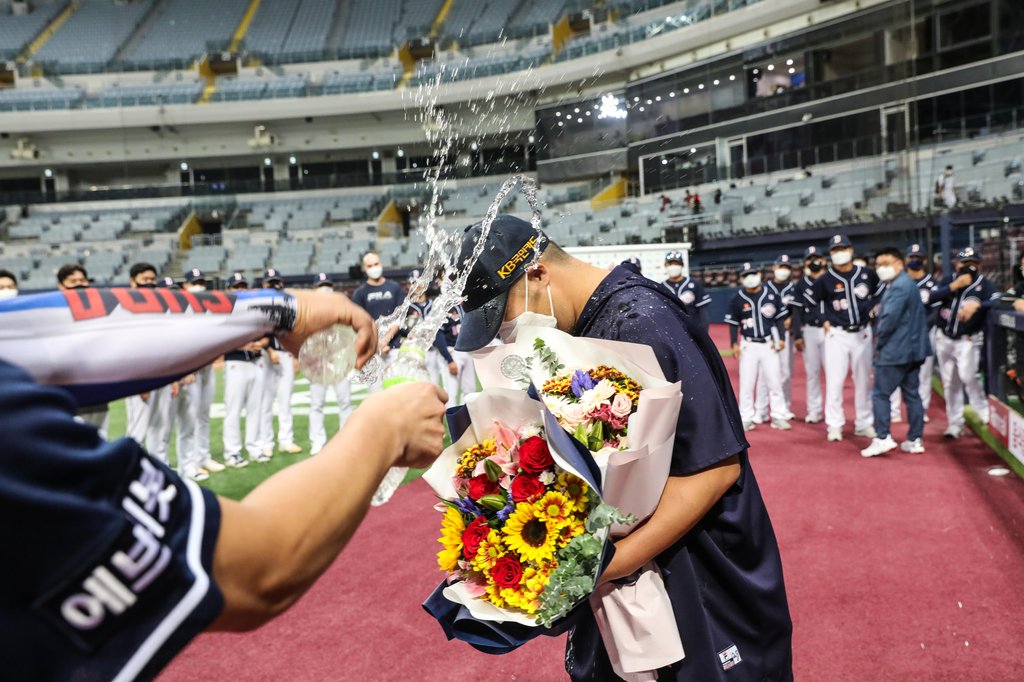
(637, 622)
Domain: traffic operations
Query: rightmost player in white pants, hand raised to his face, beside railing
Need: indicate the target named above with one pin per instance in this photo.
(966, 299)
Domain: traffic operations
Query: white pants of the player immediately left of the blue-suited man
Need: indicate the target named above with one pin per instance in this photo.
(848, 353)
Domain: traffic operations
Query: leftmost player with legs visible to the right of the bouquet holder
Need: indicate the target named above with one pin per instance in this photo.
(754, 318)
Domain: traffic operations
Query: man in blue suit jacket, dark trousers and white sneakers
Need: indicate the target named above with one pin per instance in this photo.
(902, 345)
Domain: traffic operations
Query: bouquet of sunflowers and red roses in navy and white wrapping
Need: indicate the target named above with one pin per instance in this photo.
(525, 530)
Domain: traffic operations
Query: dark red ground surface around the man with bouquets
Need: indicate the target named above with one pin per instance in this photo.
(900, 568)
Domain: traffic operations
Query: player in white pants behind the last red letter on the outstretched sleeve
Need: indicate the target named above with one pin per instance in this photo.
(243, 390)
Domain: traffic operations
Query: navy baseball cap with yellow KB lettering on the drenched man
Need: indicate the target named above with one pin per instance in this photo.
(511, 245)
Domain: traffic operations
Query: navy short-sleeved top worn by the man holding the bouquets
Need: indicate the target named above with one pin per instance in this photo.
(724, 577)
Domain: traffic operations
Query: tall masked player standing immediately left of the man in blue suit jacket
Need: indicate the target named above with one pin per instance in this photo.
(848, 294)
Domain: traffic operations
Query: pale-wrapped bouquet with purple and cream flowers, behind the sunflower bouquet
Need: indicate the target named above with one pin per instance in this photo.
(613, 399)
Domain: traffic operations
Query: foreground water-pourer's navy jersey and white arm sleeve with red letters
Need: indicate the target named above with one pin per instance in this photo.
(110, 552)
